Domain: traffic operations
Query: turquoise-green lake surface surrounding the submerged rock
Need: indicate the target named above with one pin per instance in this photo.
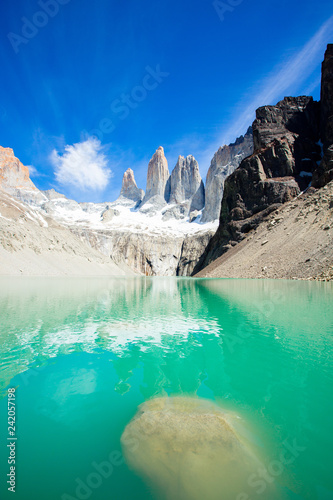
(83, 354)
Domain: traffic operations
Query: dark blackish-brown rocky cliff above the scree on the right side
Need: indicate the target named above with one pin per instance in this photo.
(288, 142)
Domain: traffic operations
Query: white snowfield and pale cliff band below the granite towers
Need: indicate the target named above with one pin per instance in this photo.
(148, 241)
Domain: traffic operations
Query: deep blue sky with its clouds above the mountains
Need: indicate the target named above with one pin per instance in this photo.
(89, 89)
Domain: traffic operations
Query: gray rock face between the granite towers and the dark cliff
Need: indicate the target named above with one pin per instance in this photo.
(224, 162)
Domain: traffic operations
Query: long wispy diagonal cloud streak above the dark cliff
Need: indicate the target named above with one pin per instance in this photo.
(284, 78)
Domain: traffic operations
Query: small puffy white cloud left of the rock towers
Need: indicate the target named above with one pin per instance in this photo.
(82, 165)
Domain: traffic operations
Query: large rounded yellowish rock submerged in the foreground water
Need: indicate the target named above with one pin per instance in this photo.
(187, 449)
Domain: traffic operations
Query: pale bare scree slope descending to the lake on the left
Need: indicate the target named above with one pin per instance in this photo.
(34, 244)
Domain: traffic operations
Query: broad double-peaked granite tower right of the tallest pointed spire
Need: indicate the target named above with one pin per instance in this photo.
(186, 184)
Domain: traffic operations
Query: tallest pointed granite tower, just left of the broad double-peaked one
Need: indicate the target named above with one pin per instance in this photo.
(157, 176)
